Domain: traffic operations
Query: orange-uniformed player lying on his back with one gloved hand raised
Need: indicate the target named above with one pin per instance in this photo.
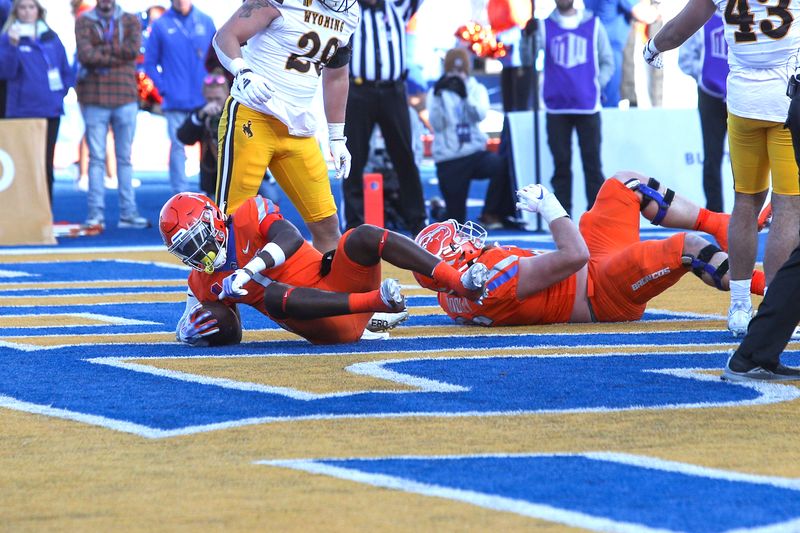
(600, 273)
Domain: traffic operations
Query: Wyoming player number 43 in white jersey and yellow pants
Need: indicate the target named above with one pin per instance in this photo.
(763, 38)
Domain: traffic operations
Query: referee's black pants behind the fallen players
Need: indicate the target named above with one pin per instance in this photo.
(386, 106)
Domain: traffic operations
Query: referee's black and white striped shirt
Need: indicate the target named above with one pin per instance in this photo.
(379, 42)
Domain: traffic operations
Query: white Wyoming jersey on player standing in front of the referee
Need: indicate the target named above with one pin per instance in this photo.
(291, 53)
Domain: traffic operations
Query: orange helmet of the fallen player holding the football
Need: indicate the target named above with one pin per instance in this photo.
(193, 229)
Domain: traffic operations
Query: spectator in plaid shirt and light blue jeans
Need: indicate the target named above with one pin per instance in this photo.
(107, 41)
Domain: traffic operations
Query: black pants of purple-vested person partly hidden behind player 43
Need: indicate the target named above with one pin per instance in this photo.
(714, 125)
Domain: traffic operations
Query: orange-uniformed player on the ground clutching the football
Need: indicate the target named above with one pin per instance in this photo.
(258, 258)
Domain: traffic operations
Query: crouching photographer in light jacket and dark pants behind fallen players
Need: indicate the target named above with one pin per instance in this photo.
(456, 105)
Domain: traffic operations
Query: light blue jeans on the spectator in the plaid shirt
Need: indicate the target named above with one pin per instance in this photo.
(123, 124)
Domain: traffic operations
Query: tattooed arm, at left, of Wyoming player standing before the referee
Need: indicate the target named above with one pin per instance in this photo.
(251, 17)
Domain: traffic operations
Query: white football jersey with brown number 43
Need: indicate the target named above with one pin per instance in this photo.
(760, 34)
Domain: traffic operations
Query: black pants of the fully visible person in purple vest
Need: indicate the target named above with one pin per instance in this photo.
(559, 138)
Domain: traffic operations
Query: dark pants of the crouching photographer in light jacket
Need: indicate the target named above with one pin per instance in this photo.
(455, 176)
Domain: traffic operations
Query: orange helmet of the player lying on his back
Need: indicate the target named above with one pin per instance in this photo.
(457, 244)
